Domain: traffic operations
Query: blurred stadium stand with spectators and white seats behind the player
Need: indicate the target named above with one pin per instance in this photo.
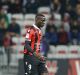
(61, 34)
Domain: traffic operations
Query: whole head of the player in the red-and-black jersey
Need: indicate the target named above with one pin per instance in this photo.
(40, 20)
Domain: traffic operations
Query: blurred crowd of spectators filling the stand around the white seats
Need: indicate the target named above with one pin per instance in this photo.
(63, 31)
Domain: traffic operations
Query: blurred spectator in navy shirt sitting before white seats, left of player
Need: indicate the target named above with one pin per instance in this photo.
(14, 28)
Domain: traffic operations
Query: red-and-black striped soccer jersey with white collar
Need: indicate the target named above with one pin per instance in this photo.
(33, 35)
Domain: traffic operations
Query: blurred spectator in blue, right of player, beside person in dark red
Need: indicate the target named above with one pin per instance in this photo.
(51, 36)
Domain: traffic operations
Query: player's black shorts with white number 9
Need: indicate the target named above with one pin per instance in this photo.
(33, 66)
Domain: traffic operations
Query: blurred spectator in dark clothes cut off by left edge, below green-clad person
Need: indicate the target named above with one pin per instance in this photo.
(3, 30)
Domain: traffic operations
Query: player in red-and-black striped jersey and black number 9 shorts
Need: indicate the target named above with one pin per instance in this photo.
(34, 63)
